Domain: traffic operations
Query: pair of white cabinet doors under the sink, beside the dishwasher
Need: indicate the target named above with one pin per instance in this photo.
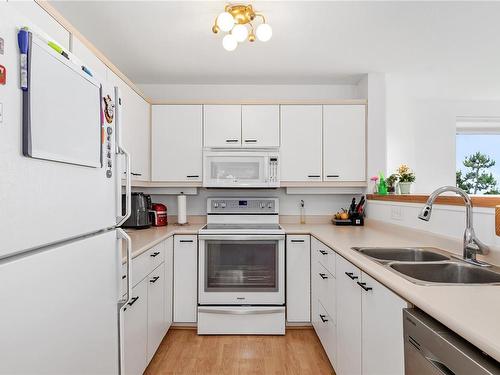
(369, 324)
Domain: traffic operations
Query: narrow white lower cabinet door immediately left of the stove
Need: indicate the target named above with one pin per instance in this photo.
(185, 278)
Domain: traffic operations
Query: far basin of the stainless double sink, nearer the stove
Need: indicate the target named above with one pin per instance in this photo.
(383, 254)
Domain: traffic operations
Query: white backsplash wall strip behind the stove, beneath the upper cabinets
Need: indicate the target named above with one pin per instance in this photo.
(289, 204)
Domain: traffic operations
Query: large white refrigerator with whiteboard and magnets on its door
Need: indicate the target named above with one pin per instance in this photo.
(60, 247)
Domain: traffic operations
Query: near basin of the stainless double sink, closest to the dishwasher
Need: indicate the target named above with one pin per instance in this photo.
(446, 273)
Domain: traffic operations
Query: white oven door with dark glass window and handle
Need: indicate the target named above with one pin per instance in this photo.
(241, 270)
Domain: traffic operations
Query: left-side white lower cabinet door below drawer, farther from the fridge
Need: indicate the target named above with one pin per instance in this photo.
(156, 309)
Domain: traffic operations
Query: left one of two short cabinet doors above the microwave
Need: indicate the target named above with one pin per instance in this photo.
(222, 125)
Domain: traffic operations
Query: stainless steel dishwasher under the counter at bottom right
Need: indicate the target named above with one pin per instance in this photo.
(431, 348)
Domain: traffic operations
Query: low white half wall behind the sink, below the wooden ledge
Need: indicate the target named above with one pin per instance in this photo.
(448, 221)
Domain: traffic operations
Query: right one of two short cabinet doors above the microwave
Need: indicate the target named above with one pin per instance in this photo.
(260, 125)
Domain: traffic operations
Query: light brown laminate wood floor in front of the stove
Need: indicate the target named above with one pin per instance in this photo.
(182, 351)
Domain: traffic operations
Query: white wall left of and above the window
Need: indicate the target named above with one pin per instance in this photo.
(421, 124)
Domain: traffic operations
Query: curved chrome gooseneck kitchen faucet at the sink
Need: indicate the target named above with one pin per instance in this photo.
(472, 245)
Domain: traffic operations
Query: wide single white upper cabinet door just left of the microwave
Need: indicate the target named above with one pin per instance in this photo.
(177, 142)
